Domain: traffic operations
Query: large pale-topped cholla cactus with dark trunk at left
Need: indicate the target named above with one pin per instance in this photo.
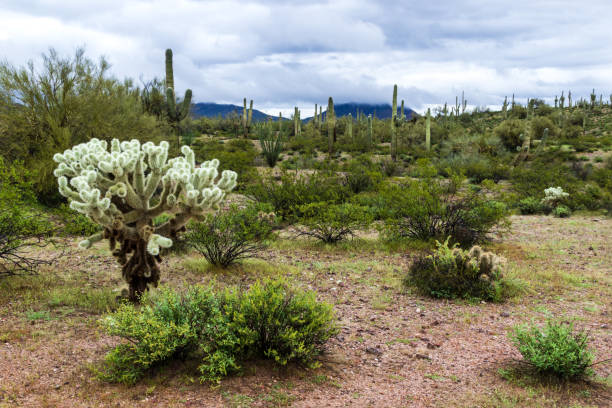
(120, 191)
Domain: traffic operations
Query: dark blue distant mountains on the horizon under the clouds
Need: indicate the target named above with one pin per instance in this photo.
(381, 111)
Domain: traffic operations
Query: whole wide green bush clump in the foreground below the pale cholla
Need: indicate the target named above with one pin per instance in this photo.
(221, 328)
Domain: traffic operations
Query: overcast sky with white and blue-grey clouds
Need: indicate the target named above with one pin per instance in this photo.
(286, 53)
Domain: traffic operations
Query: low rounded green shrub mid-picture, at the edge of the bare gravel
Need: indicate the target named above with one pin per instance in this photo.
(331, 223)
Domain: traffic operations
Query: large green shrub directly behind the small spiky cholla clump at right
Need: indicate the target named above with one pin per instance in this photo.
(430, 208)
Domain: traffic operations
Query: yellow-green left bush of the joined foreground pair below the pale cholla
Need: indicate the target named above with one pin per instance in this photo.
(166, 326)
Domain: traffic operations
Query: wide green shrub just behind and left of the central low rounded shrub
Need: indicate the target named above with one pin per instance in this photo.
(293, 190)
